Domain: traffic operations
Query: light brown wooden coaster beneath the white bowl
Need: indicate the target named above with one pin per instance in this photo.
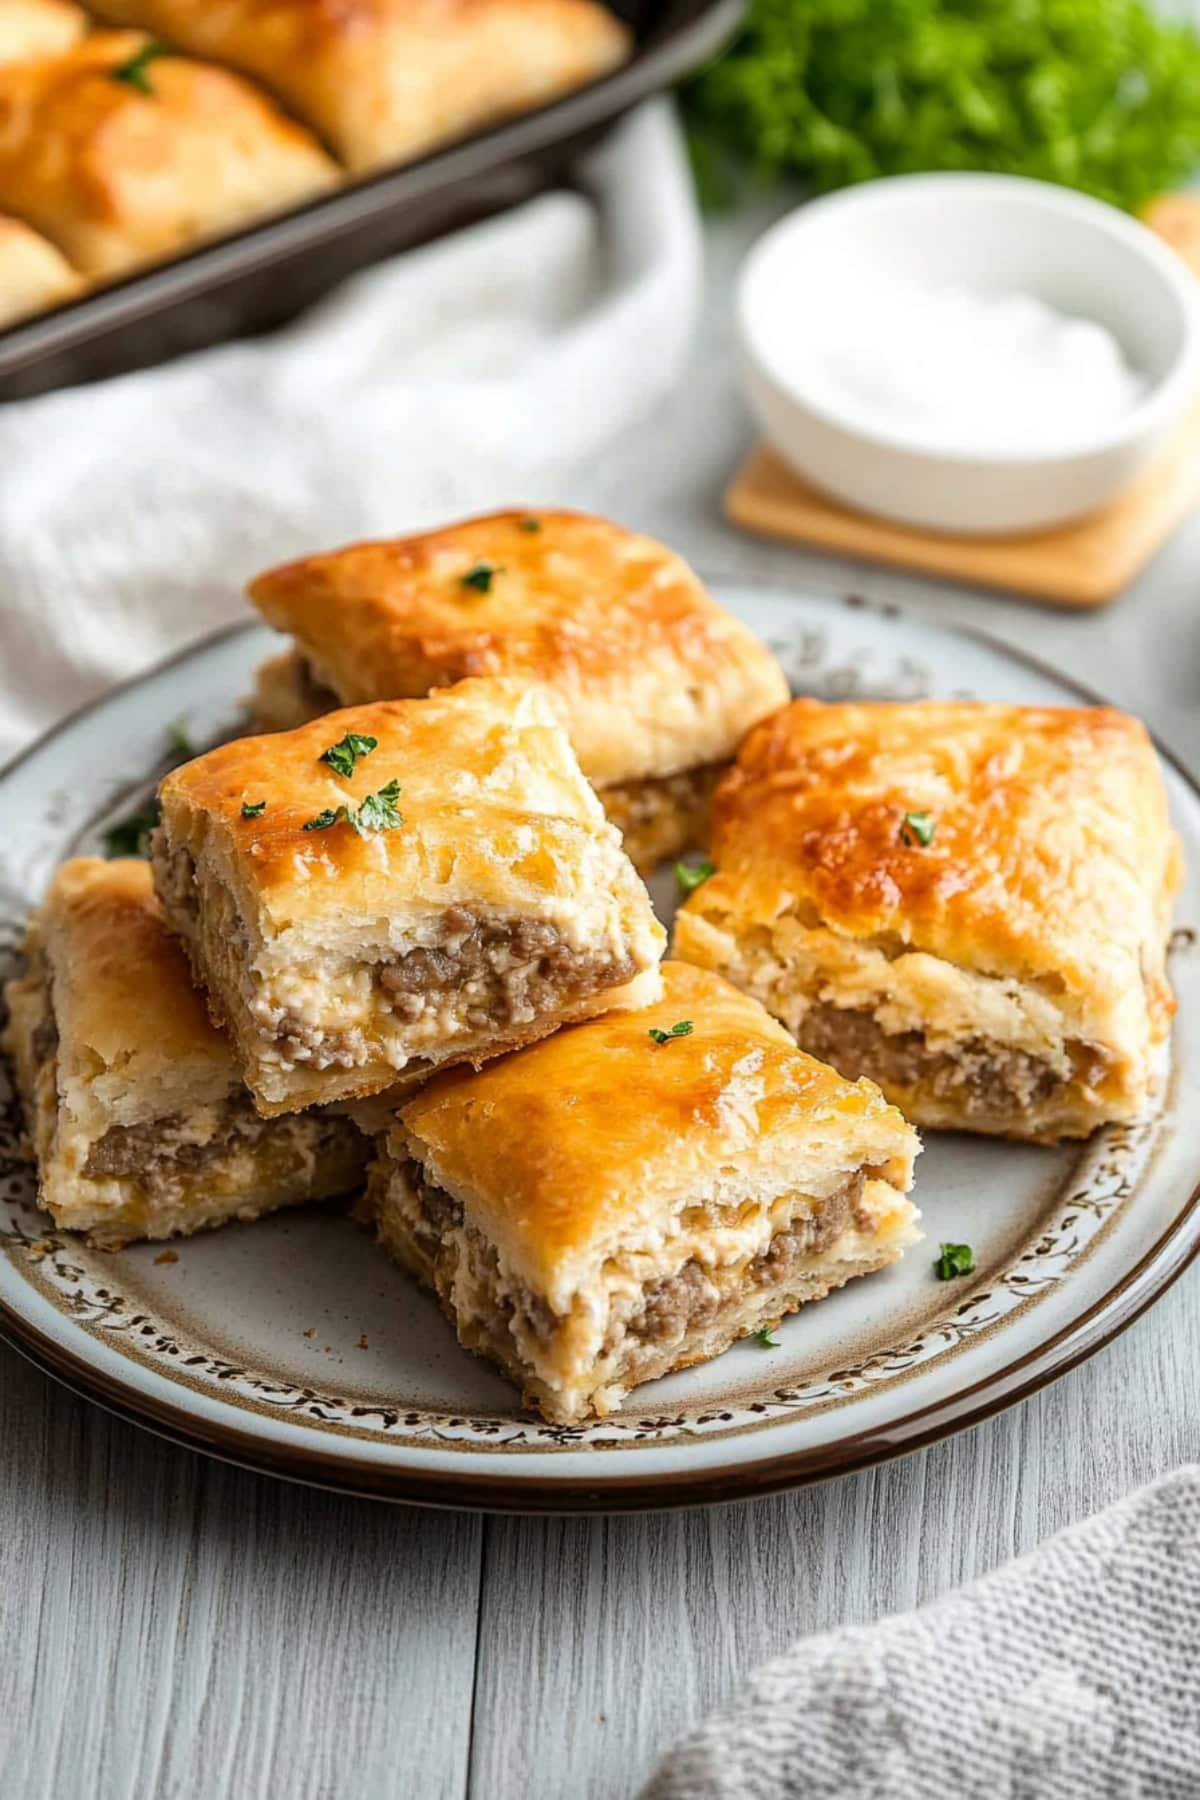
(1084, 564)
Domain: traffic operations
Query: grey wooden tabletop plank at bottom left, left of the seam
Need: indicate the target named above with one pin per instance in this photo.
(172, 1626)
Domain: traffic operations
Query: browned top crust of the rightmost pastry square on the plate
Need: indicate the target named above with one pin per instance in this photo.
(1052, 841)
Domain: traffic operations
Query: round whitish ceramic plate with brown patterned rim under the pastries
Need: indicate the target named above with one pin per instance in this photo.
(294, 1347)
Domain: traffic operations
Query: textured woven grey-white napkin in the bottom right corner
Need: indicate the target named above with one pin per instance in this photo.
(1071, 1675)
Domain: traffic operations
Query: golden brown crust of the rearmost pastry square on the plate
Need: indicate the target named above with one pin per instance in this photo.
(649, 672)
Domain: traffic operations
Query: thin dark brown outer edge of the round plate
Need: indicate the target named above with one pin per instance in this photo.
(1079, 1338)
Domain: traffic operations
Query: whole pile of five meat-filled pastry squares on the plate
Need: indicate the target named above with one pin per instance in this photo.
(413, 919)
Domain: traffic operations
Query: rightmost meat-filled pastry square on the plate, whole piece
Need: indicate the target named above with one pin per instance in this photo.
(967, 903)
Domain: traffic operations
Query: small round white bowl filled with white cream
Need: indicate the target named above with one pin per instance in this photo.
(967, 354)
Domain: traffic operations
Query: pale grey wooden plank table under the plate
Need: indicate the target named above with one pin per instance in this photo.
(175, 1628)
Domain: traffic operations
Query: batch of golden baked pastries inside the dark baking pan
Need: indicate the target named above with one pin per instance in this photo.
(123, 147)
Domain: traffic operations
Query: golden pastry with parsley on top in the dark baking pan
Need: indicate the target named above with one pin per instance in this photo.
(118, 177)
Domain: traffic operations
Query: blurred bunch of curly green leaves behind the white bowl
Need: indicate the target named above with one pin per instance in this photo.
(1095, 94)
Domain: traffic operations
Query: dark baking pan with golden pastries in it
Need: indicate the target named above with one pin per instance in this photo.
(291, 143)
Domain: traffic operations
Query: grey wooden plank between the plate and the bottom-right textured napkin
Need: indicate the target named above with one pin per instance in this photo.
(620, 1633)
